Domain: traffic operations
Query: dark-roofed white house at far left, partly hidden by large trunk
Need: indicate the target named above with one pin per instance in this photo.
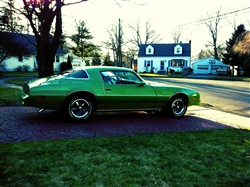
(14, 62)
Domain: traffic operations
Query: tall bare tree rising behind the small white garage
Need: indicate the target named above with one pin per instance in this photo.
(212, 23)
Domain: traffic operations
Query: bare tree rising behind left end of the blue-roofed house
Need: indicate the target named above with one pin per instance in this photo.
(150, 35)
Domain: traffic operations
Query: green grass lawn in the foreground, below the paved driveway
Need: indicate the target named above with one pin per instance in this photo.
(212, 158)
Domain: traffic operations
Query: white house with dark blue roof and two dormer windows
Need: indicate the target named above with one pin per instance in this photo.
(161, 58)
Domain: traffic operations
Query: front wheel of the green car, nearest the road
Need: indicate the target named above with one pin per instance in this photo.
(176, 107)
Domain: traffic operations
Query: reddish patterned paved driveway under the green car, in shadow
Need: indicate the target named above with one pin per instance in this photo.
(26, 124)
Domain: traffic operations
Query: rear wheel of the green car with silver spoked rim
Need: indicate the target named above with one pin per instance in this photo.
(79, 107)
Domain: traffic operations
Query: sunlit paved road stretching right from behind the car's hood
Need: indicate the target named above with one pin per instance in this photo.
(233, 96)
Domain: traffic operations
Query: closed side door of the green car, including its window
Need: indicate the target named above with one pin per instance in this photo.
(125, 90)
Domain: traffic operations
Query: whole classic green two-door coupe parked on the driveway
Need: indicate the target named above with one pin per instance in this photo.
(80, 92)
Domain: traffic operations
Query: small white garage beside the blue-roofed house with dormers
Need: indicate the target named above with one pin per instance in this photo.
(208, 66)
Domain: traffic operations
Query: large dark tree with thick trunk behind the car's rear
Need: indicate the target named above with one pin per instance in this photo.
(45, 17)
